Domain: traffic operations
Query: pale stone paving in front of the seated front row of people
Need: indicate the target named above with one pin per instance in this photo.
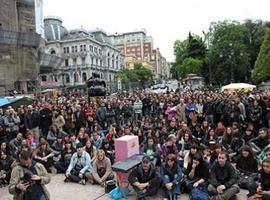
(72, 191)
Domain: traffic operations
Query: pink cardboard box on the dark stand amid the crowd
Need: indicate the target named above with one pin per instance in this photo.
(126, 146)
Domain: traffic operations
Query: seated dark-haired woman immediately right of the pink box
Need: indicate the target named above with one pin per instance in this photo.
(151, 150)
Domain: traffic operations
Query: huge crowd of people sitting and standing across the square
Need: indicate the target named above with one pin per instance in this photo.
(204, 143)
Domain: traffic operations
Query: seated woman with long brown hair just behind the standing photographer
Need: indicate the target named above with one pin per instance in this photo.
(44, 155)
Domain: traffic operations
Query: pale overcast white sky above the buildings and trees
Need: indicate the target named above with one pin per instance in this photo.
(165, 20)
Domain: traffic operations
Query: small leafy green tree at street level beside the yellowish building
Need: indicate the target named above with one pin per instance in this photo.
(139, 74)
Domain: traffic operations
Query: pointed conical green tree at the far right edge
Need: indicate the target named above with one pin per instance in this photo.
(261, 70)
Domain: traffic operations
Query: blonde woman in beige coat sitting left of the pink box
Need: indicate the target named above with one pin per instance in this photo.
(102, 169)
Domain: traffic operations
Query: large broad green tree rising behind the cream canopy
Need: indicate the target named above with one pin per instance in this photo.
(228, 52)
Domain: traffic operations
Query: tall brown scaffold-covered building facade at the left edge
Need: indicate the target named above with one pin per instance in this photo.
(19, 46)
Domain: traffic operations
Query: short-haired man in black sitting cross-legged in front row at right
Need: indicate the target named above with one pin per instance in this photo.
(223, 179)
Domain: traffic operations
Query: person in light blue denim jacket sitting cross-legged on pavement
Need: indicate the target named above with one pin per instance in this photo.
(80, 167)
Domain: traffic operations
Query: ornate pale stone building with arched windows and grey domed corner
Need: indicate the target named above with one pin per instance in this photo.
(82, 52)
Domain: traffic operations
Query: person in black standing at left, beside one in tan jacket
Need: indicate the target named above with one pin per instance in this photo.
(45, 115)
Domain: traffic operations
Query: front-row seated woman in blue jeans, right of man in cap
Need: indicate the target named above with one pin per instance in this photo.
(171, 175)
